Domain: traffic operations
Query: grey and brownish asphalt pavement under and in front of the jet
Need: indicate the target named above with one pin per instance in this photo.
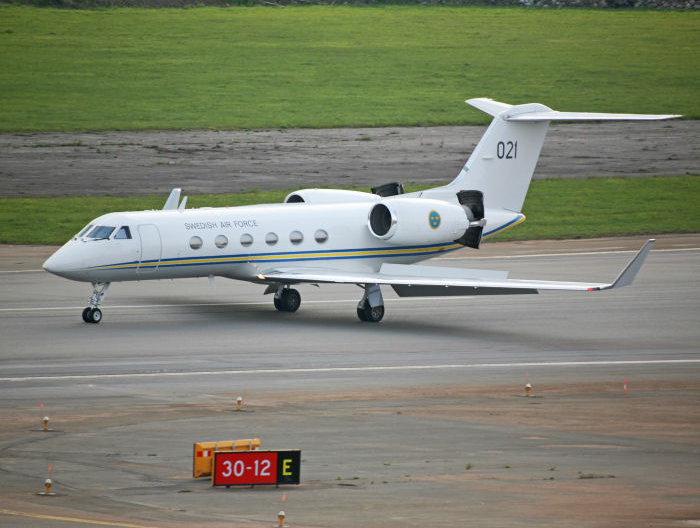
(417, 421)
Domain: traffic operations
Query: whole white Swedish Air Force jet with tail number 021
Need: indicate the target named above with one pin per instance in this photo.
(335, 236)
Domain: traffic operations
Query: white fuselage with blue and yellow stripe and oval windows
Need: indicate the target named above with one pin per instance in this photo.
(240, 242)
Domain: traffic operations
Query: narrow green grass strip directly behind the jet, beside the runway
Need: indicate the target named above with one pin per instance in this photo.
(554, 209)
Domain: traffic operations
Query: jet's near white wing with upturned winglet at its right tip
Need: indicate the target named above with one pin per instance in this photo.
(416, 281)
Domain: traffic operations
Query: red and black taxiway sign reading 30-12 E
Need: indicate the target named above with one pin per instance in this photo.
(245, 468)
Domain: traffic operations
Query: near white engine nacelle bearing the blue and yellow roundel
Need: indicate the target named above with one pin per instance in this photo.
(415, 221)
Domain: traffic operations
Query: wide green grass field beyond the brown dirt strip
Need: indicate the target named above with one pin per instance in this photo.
(322, 66)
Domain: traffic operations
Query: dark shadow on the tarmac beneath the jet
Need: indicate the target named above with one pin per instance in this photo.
(314, 320)
